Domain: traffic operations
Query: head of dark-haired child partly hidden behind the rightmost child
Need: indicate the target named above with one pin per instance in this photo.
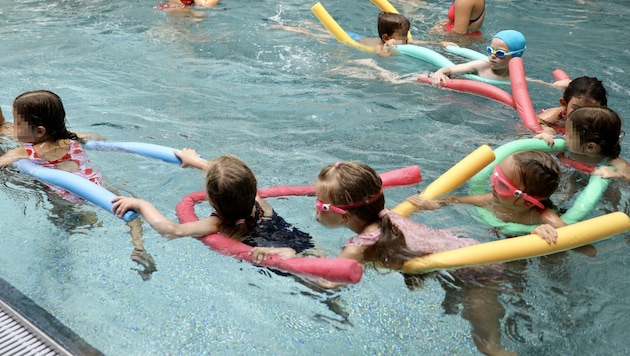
(583, 91)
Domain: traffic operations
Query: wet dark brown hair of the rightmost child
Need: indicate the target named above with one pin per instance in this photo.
(599, 125)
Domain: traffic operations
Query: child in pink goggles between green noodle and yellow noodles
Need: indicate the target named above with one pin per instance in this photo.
(521, 186)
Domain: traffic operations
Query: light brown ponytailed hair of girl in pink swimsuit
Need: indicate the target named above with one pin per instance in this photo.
(351, 182)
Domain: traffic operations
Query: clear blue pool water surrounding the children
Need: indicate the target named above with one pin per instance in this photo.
(226, 84)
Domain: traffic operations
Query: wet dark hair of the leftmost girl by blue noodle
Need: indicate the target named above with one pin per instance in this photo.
(44, 108)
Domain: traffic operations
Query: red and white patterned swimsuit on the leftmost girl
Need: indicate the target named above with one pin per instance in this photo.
(75, 154)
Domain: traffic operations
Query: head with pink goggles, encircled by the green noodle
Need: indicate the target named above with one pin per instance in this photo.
(525, 178)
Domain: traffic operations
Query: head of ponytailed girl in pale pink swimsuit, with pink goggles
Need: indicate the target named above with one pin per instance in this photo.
(348, 189)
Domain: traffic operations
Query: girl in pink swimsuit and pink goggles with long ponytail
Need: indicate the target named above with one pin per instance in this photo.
(350, 195)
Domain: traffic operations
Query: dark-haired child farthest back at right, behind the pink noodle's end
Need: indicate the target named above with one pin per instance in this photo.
(582, 91)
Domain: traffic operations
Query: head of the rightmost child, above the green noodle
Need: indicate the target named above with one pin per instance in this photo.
(595, 131)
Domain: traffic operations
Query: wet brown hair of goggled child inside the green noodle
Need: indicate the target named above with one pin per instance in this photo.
(539, 173)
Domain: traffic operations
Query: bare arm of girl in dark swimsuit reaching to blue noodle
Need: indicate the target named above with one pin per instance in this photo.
(160, 223)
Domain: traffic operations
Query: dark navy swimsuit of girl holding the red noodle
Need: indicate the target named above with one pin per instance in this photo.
(274, 231)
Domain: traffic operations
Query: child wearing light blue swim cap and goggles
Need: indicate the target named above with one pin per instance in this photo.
(504, 46)
